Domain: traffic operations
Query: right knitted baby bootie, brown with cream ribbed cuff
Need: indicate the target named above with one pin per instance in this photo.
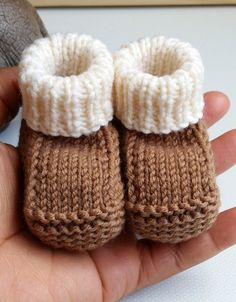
(171, 188)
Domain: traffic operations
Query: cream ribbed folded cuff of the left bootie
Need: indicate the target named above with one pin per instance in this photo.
(66, 84)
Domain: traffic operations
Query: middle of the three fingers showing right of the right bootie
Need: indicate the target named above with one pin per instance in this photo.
(224, 149)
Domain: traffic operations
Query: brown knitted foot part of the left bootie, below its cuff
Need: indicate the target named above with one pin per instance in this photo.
(73, 189)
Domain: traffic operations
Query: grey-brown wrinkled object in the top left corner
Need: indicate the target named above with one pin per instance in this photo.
(20, 25)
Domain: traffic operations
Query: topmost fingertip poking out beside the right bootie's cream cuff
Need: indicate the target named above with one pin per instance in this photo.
(216, 106)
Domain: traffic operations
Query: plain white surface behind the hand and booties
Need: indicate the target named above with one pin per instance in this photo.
(213, 32)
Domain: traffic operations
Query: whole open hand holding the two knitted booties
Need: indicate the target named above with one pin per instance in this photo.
(30, 271)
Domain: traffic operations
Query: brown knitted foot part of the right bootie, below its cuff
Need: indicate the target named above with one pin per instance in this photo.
(172, 194)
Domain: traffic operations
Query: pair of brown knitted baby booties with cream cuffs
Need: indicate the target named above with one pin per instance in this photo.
(75, 195)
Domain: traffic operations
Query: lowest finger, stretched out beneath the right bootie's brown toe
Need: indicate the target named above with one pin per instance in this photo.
(160, 261)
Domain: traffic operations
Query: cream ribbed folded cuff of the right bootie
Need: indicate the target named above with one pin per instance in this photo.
(158, 85)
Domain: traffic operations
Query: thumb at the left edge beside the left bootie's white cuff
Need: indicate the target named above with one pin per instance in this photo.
(9, 94)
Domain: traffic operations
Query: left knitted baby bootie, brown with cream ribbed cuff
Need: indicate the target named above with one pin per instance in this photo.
(73, 193)
